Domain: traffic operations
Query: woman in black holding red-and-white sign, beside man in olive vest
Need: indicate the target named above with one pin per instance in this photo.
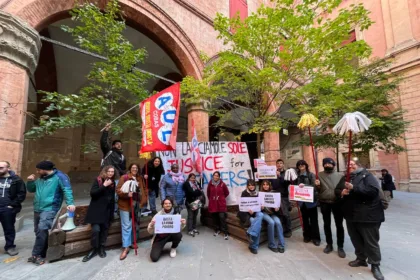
(308, 209)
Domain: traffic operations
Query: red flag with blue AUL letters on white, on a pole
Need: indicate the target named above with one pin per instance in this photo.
(159, 114)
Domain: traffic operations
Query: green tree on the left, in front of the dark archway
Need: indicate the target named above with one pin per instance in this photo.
(112, 83)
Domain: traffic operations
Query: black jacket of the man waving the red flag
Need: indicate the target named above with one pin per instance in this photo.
(112, 156)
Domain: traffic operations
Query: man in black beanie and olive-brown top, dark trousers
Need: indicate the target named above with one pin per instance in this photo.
(328, 181)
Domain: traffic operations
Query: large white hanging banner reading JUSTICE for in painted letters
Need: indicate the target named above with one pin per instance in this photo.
(231, 159)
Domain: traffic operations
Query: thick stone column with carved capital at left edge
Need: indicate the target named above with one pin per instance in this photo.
(19, 52)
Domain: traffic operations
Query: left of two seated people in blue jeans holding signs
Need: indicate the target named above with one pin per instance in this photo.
(252, 220)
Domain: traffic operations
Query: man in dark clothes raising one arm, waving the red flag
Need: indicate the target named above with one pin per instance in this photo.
(113, 155)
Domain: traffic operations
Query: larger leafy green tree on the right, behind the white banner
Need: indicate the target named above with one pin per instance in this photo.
(281, 49)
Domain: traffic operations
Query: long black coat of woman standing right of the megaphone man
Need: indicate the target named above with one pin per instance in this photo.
(102, 204)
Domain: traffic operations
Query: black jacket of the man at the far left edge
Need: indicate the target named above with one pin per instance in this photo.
(16, 192)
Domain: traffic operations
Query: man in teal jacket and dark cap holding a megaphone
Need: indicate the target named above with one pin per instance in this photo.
(49, 190)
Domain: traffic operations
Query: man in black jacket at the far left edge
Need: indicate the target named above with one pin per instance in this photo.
(12, 194)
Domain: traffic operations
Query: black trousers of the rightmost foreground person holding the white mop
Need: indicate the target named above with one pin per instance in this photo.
(365, 239)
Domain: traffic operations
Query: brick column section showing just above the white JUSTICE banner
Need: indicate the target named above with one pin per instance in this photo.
(198, 112)
